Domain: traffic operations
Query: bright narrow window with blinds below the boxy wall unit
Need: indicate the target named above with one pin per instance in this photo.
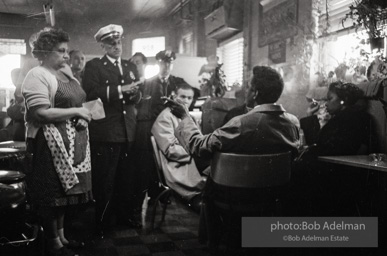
(231, 55)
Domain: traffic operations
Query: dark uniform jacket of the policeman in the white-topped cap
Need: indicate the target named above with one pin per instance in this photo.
(101, 80)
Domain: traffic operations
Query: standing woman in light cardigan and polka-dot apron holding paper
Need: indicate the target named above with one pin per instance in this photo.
(57, 137)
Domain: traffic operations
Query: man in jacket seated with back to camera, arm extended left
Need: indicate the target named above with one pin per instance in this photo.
(267, 128)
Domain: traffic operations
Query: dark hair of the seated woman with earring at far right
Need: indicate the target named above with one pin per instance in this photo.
(347, 92)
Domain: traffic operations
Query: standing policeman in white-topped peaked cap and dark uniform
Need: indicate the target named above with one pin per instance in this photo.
(112, 79)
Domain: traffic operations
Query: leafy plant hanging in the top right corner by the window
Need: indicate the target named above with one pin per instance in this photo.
(367, 14)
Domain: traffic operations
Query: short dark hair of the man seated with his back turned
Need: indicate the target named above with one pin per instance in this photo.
(268, 82)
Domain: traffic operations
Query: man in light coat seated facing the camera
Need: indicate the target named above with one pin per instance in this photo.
(180, 171)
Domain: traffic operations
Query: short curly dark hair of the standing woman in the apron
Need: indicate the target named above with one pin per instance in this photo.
(46, 40)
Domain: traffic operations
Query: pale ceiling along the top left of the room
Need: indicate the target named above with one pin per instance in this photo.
(93, 10)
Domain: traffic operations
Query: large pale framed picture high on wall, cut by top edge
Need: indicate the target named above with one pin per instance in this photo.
(277, 21)
